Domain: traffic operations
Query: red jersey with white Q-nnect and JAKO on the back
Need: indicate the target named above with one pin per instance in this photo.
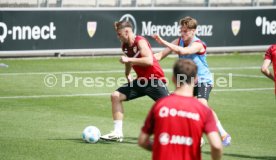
(177, 123)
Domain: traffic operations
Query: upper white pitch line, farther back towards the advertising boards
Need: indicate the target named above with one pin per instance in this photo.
(117, 71)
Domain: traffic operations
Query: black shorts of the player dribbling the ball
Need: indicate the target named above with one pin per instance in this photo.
(154, 88)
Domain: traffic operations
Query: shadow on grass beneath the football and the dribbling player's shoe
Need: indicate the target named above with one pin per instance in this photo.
(127, 140)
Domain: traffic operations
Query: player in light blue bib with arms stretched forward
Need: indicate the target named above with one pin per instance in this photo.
(189, 46)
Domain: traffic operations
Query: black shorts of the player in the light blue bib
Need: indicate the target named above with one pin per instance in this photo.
(202, 90)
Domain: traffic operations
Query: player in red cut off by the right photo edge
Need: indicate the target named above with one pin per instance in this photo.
(270, 57)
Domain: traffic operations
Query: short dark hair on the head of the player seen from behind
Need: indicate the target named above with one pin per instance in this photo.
(184, 71)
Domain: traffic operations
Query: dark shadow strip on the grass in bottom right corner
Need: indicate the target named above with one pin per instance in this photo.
(241, 156)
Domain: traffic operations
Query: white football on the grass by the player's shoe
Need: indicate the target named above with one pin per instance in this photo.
(91, 134)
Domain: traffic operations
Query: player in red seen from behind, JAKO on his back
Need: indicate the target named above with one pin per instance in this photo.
(178, 121)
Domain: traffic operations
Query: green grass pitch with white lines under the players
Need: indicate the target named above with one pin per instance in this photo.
(40, 122)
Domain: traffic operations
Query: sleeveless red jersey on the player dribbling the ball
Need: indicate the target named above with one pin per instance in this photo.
(148, 72)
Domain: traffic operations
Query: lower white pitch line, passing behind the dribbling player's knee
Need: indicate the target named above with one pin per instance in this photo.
(106, 94)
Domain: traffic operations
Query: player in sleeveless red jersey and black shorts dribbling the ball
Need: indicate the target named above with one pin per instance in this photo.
(150, 79)
